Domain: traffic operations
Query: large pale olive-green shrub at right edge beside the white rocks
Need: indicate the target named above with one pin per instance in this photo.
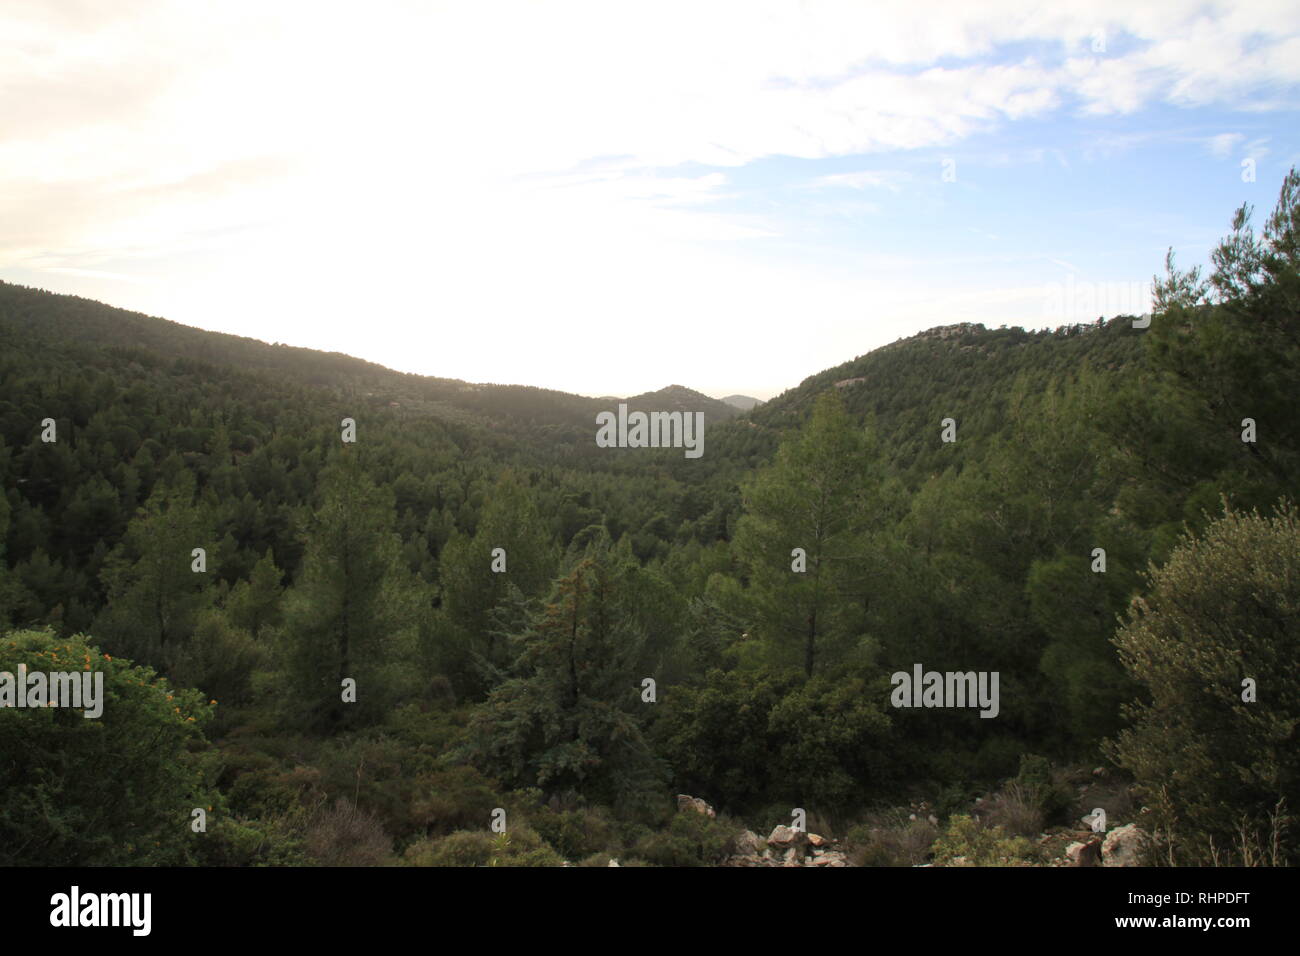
(1225, 608)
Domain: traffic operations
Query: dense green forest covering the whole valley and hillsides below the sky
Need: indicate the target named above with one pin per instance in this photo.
(358, 617)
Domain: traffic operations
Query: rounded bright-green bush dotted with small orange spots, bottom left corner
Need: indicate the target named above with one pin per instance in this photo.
(116, 790)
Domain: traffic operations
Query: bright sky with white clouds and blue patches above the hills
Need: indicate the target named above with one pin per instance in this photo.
(612, 197)
